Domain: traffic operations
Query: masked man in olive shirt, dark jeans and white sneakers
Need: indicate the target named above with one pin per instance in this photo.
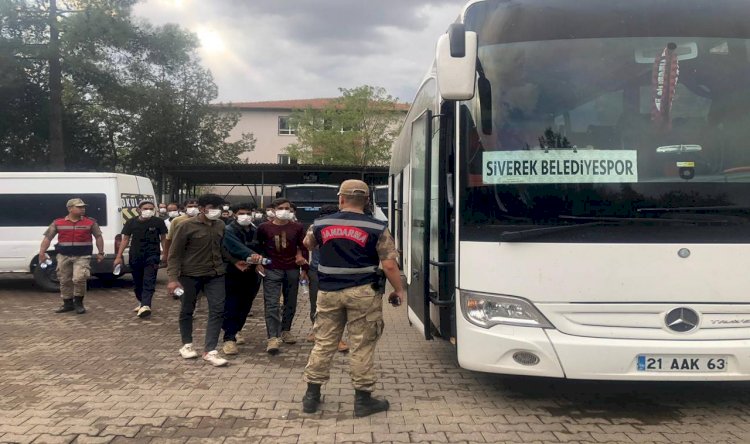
(196, 262)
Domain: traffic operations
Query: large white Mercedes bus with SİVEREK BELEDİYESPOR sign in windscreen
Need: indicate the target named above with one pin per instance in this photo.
(571, 189)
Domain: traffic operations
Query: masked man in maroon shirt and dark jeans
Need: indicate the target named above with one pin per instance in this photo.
(281, 241)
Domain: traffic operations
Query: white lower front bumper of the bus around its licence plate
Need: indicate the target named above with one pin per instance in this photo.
(564, 356)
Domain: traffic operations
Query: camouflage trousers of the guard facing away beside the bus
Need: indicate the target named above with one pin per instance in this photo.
(360, 310)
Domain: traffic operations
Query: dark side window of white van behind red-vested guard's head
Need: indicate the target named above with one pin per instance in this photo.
(39, 210)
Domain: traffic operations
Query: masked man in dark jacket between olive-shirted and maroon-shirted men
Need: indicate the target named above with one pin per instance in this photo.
(241, 286)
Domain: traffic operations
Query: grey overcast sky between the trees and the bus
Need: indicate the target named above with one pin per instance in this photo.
(300, 49)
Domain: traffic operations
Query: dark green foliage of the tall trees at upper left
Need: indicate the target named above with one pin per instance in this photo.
(136, 98)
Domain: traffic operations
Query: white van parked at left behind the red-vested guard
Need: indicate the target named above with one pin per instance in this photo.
(31, 201)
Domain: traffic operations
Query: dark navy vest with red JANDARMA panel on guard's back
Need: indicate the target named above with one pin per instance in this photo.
(348, 254)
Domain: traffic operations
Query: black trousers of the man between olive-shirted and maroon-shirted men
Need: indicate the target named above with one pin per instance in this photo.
(241, 290)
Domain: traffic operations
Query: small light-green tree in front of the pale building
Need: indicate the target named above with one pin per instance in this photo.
(357, 128)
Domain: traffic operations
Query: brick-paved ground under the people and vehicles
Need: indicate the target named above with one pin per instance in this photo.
(109, 377)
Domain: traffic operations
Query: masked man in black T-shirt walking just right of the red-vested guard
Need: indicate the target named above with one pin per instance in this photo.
(146, 235)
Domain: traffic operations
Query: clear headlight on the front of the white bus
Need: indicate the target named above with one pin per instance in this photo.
(487, 310)
